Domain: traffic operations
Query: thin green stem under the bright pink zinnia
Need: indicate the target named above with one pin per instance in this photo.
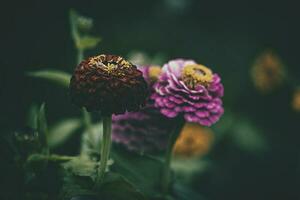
(165, 181)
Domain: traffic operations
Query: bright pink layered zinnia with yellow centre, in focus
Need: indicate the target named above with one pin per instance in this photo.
(189, 89)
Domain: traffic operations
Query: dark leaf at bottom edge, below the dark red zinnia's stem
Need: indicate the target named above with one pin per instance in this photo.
(116, 187)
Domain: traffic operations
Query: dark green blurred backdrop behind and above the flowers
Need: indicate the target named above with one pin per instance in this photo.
(257, 154)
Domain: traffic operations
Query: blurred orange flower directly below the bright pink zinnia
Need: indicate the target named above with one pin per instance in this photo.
(194, 140)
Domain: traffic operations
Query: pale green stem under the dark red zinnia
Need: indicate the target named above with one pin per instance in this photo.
(105, 147)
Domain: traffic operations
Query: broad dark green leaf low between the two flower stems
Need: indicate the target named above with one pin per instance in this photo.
(141, 170)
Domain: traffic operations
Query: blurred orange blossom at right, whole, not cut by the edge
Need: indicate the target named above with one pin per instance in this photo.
(268, 72)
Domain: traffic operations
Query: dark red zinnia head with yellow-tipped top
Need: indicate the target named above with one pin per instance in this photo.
(109, 84)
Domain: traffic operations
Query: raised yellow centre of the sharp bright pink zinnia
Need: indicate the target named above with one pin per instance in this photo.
(195, 74)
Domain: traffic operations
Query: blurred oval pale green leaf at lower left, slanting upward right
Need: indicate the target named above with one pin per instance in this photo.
(62, 131)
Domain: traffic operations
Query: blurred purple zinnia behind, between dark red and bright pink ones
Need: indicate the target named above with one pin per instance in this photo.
(146, 130)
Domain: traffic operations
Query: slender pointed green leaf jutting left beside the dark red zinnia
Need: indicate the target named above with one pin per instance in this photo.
(59, 77)
